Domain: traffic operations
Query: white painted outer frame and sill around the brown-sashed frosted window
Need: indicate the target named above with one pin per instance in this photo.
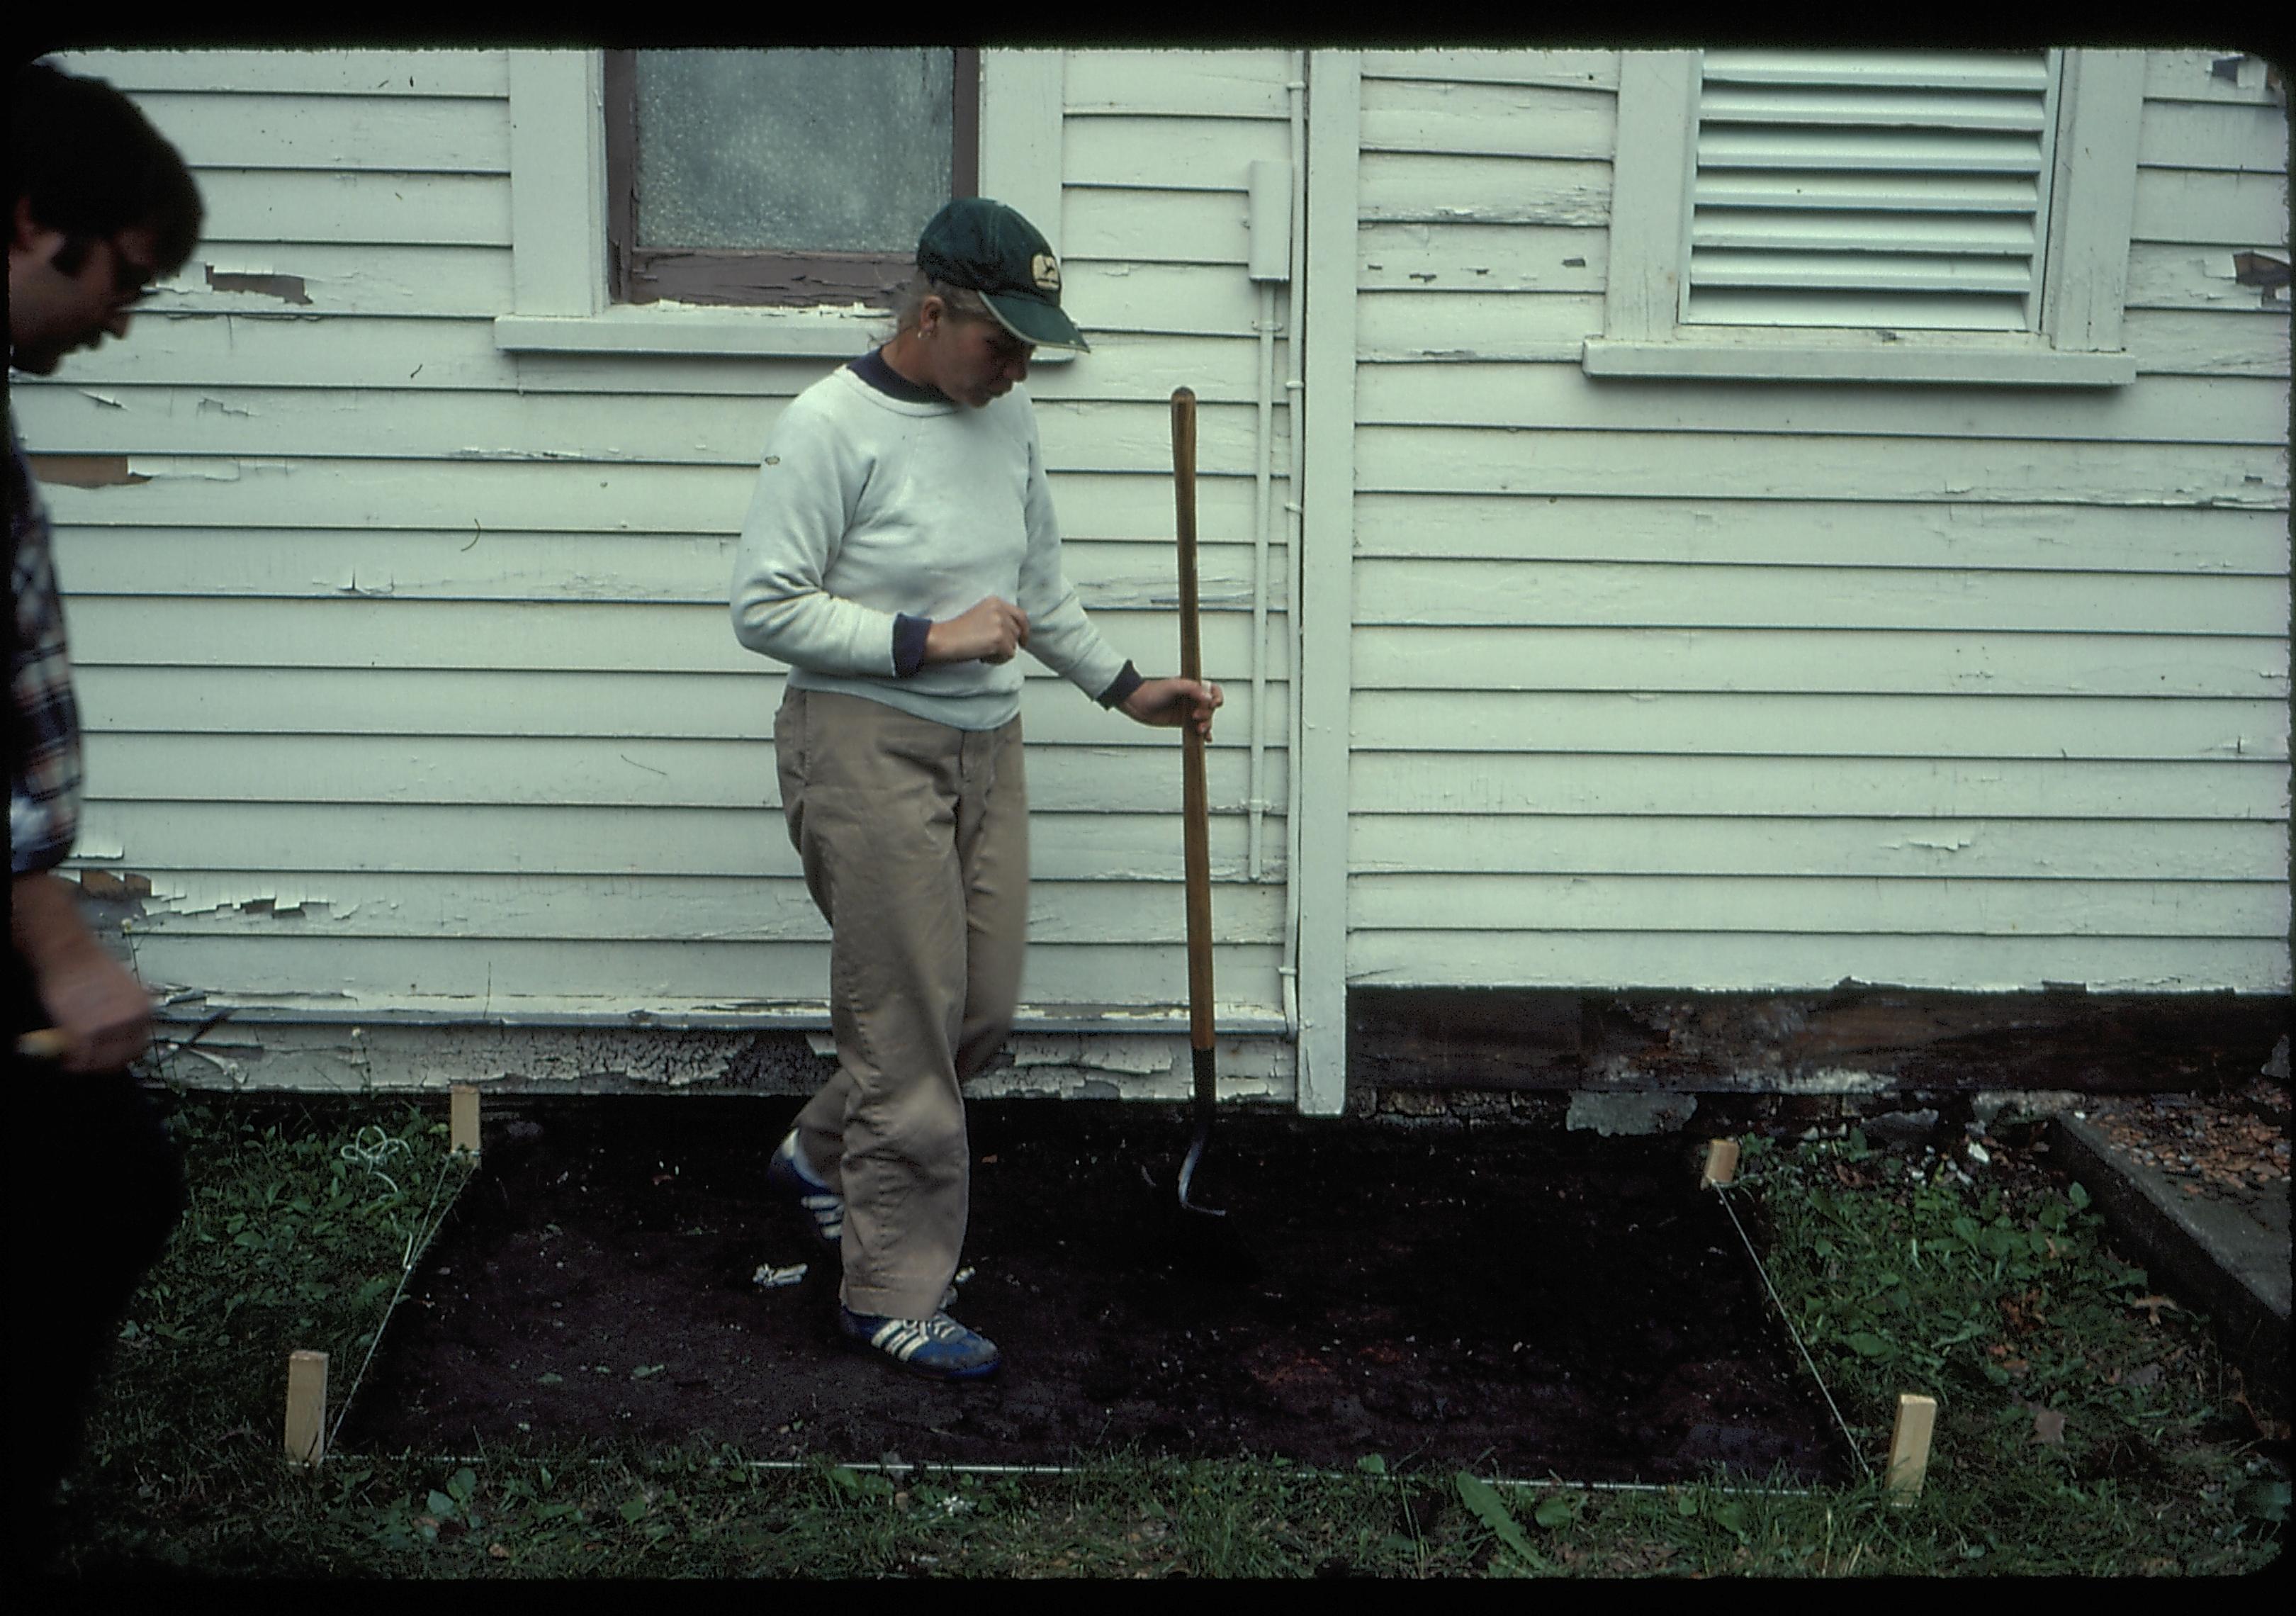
(561, 300)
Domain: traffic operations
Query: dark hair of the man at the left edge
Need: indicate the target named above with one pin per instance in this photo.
(91, 164)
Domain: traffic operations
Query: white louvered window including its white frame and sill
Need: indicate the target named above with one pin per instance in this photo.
(1872, 215)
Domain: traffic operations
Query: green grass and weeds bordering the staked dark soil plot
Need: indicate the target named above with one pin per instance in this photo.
(2086, 1429)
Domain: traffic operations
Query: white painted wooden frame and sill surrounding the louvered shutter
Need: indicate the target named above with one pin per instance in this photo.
(2086, 279)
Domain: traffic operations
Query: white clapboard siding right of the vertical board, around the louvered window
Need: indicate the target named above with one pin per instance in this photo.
(1774, 685)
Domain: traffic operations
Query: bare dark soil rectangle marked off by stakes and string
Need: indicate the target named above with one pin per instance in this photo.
(1514, 1300)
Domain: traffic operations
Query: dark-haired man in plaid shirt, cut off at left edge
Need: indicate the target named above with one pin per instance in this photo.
(102, 205)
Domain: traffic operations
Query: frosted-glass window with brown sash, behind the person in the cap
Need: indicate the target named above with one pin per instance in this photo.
(782, 178)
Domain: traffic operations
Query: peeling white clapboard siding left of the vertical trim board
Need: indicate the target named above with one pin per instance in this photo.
(405, 658)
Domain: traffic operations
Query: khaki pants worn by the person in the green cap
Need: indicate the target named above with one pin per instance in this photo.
(915, 841)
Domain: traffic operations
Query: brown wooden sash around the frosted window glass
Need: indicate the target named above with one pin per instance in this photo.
(761, 279)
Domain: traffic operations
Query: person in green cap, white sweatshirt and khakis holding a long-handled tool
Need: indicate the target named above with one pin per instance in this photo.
(899, 552)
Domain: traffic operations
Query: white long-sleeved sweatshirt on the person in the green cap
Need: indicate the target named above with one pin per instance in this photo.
(871, 508)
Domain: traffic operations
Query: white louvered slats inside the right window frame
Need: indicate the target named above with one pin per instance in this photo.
(1898, 189)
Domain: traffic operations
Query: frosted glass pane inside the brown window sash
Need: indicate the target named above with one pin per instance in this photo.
(796, 150)
